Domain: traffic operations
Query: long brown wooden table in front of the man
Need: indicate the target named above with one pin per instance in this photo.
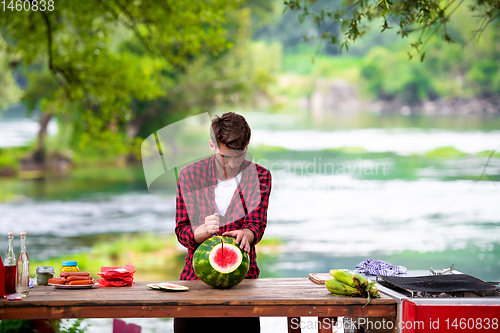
(289, 297)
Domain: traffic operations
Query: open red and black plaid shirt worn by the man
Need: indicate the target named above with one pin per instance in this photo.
(196, 200)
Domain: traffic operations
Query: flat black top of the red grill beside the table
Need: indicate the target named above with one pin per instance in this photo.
(451, 283)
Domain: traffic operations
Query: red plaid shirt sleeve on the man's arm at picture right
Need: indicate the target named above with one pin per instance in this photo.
(256, 221)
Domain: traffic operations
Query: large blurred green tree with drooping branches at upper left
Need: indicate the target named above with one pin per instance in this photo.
(85, 53)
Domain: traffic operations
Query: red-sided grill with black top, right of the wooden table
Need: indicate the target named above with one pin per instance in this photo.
(441, 303)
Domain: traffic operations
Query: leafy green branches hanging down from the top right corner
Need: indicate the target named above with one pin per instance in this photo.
(423, 18)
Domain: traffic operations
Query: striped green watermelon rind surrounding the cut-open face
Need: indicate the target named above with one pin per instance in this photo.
(210, 276)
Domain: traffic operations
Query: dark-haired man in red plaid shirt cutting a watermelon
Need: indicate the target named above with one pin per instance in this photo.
(224, 194)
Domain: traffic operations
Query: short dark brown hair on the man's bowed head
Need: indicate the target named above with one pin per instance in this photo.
(232, 130)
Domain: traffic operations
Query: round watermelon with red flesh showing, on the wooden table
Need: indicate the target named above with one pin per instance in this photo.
(220, 263)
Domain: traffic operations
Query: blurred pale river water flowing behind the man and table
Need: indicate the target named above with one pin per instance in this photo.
(345, 188)
